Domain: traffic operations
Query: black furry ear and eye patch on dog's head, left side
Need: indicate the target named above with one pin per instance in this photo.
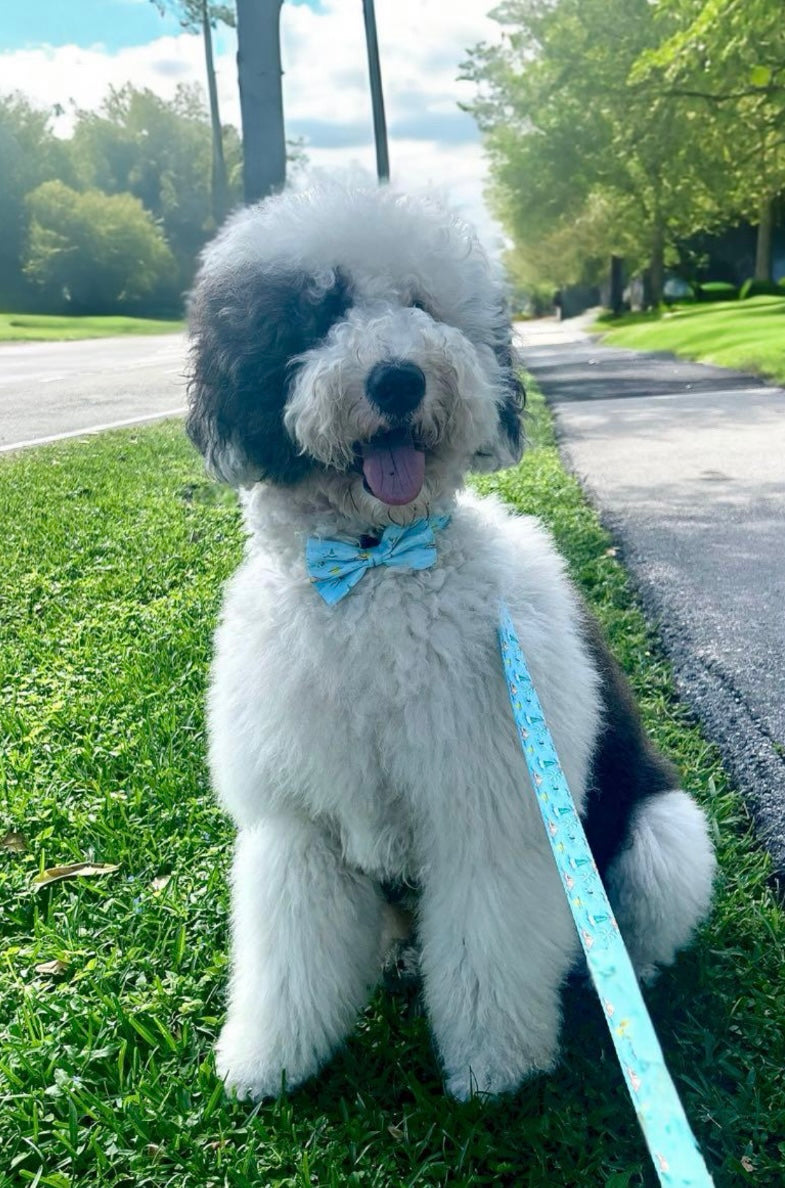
(246, 327)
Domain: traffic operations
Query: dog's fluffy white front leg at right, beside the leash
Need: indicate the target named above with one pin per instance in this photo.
(497, 944)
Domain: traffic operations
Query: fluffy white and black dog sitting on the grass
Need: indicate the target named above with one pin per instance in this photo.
(351, 364)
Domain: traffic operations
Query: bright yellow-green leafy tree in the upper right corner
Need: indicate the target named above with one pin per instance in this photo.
(727, 60)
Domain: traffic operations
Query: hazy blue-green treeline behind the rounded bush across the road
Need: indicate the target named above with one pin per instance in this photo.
(136, 144)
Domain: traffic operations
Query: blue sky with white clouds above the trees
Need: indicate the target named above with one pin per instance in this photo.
(72, 52)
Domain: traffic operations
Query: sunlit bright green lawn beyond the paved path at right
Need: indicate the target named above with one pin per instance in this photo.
(746, 336)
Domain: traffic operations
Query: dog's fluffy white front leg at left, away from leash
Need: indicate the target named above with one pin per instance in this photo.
(306, 937)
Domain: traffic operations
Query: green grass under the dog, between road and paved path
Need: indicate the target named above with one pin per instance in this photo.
(115, 553)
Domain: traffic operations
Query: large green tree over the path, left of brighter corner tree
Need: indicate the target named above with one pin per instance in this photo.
(594, 147)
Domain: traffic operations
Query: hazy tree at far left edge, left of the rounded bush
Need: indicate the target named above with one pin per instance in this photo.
(29, 155)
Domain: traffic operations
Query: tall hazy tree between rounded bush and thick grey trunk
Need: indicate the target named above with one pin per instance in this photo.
(161, 153)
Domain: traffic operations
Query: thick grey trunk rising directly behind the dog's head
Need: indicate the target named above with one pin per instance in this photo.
(262, 105)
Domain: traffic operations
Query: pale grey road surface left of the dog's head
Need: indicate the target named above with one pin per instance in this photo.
(53, 390)
